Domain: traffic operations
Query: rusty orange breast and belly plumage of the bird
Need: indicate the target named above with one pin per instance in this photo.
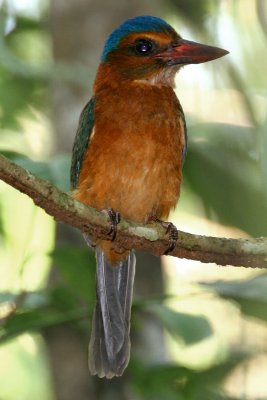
(134, 160)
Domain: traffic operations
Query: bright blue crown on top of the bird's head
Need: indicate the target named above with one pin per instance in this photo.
(144, 23)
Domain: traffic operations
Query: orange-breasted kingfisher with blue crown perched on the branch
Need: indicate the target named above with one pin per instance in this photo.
(127, 161)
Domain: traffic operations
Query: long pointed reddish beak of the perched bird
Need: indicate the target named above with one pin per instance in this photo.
(186, 52)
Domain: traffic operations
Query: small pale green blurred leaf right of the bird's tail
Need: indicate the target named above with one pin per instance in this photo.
(186, 327)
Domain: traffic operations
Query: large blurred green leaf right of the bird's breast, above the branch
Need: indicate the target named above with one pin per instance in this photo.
(222, 169)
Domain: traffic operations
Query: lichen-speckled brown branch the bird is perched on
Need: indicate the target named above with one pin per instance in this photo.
(151, 238)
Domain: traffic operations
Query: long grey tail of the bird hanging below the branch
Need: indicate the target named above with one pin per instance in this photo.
(109, 347)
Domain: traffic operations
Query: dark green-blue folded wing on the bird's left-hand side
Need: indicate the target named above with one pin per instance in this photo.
(85, 128)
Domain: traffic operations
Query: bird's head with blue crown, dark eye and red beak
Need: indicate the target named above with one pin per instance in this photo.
(148, 49)
